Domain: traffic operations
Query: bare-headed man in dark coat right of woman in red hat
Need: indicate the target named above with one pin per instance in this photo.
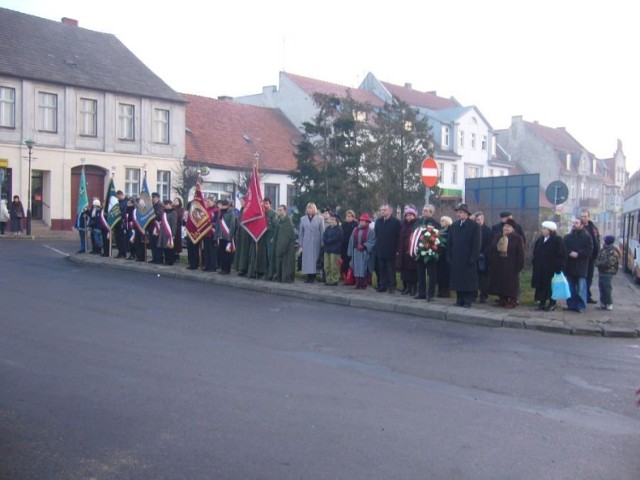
(387, 229)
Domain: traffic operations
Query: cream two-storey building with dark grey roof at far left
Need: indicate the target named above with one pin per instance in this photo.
(86, 102)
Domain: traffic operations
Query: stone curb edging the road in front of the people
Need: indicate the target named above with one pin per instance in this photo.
(418, 309)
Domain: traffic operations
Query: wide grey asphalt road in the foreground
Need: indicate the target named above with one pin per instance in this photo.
(112, 375)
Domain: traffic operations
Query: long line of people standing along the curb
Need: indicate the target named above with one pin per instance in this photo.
(468, 257)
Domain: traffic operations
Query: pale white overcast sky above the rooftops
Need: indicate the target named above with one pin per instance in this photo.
(563, 63)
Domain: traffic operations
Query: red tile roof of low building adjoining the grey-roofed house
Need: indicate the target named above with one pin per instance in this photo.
(227, 135)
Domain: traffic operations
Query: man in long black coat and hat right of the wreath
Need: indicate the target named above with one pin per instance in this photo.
(463, 252)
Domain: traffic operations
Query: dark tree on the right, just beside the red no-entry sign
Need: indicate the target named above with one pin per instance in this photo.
(402, 140)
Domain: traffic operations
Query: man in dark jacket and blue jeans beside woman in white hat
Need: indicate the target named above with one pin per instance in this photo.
(579, 247)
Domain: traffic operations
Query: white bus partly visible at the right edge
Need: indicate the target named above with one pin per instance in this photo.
(631, 227)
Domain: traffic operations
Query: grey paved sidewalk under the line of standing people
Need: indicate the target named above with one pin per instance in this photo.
(622, 321)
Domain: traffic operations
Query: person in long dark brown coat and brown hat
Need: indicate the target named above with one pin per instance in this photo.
(506, 261)
